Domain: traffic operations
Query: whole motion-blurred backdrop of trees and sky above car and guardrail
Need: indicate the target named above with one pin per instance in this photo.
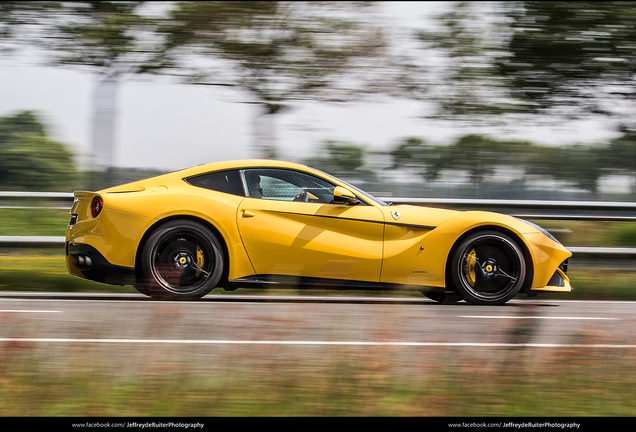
(440, 99)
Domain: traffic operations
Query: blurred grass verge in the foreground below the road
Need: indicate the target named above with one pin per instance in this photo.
(340, 382)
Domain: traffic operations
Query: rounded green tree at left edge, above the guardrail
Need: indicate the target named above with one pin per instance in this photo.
(29, 159)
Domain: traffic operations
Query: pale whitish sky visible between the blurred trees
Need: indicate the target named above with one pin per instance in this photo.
(168, 126)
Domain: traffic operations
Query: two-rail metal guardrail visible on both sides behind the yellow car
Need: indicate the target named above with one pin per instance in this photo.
(528, 209)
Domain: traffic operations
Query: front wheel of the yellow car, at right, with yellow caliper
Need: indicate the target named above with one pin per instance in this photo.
(488, 268)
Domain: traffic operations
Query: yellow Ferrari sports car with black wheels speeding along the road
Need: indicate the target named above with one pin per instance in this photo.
(263, 223)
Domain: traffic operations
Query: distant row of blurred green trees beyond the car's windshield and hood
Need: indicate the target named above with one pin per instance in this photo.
(479, 156)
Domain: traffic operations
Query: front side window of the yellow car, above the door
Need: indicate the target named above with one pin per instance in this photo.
(287, 185)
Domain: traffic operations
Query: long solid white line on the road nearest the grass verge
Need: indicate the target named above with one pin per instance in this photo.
(351, 343)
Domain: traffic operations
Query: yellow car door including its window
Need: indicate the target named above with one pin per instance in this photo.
(291, 226)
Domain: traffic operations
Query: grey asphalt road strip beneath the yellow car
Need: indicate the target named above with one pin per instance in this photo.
(232, 320)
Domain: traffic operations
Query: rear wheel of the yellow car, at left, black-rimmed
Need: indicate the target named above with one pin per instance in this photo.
(182, 260)
